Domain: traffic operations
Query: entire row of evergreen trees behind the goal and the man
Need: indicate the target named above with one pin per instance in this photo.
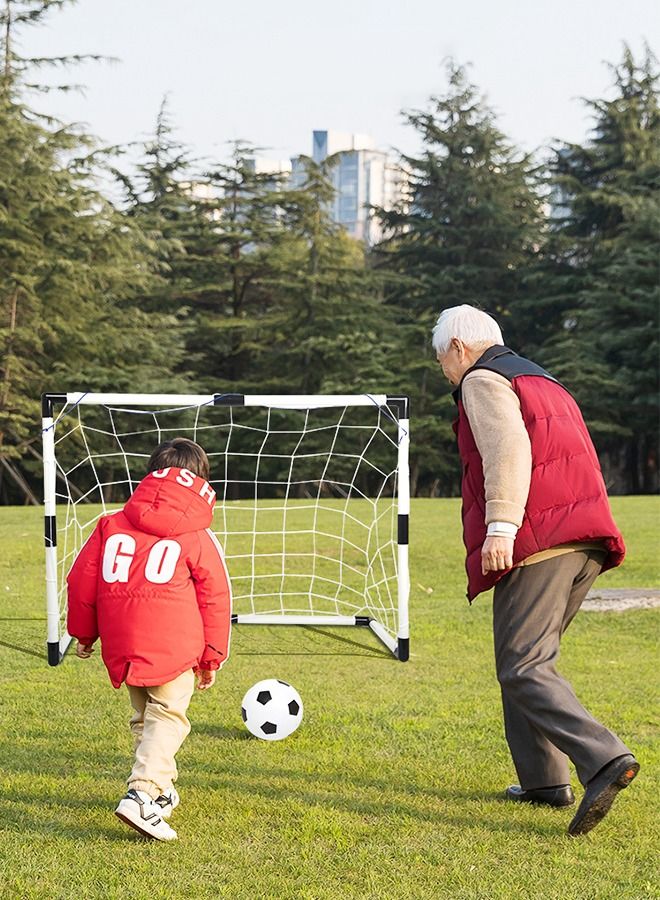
(223, 278)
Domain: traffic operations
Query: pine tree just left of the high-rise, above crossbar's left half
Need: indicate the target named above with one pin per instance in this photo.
(232, 296)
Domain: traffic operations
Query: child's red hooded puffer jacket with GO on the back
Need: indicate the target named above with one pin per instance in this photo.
(151, 582)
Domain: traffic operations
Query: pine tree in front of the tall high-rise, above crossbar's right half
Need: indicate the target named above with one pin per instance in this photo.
(329, 299)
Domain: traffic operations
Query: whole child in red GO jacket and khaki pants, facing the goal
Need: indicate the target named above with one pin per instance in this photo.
(151, 583)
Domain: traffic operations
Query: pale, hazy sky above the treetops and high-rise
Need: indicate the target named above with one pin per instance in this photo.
(272, 72)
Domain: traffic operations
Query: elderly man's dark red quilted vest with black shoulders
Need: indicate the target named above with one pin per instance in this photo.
(567, 497)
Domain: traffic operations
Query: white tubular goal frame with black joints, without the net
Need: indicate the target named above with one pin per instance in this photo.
(397, 408)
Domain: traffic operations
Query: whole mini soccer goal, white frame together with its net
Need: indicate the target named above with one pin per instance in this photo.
(313, 498)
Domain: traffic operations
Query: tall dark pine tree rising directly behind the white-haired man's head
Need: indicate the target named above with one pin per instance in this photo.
(464, 233)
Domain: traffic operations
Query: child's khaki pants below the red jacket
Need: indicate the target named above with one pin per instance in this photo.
(159, 727)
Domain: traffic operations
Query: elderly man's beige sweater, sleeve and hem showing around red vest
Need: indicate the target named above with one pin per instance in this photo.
(493, 411)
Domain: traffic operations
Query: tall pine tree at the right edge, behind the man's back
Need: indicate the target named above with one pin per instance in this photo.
(595, 312)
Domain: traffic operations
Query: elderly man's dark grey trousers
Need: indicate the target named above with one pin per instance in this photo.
(544, 723)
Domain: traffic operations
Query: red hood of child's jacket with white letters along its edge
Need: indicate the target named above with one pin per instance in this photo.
(171, 501)
